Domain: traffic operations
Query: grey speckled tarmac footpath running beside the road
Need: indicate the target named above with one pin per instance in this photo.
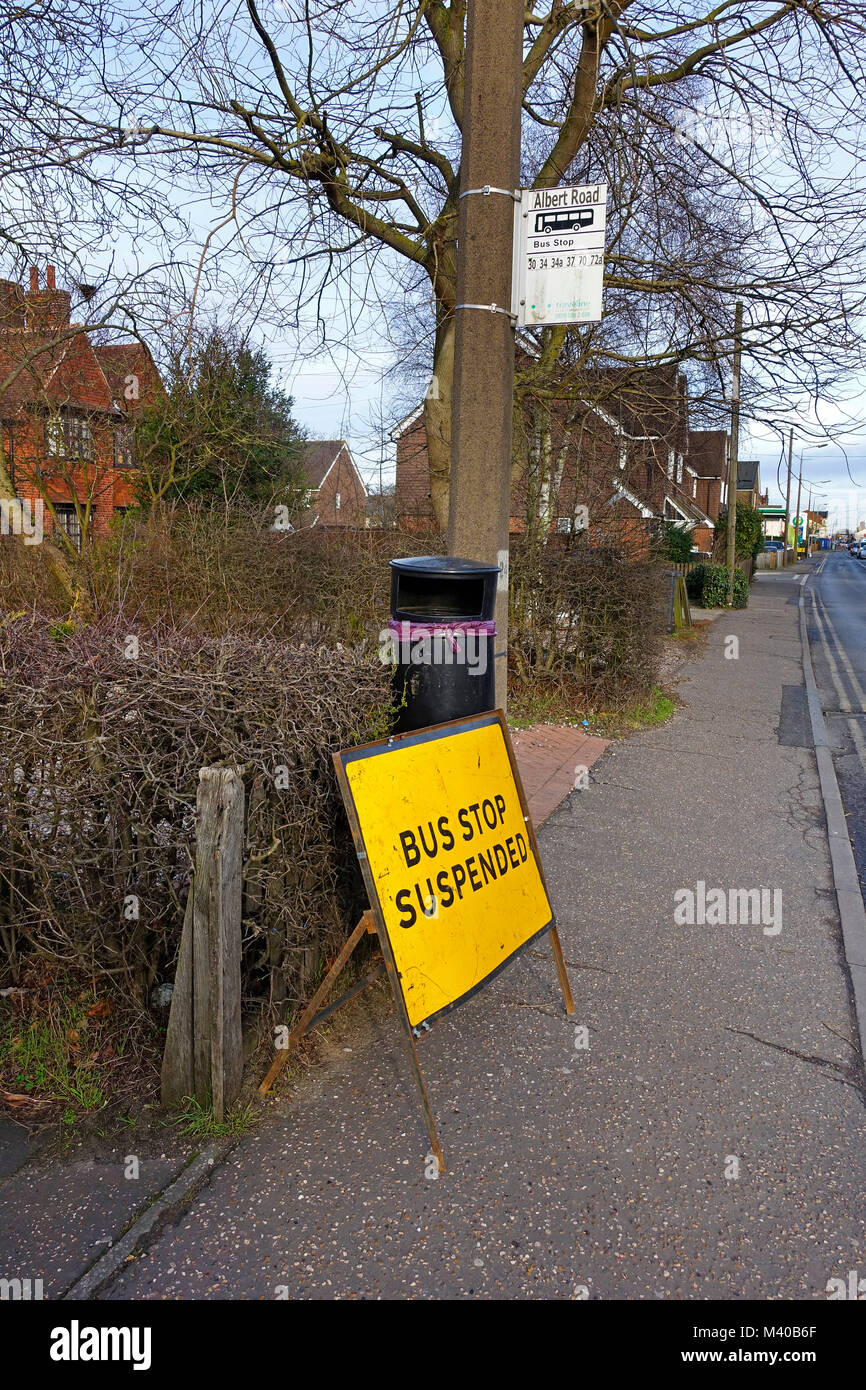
(605, 1171)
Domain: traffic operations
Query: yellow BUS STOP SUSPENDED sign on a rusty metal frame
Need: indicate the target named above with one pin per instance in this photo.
(451, 864)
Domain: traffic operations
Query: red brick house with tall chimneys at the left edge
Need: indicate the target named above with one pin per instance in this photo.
(67, 408)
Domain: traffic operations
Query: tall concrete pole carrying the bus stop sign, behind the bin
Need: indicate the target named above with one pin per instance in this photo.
(484, 338)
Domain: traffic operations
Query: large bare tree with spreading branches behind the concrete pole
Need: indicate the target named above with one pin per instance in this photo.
(332, 134)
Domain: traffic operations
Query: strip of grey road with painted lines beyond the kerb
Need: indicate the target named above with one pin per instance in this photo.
(838, 640)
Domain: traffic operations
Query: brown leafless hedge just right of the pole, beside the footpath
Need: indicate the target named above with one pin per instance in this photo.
(586, 619)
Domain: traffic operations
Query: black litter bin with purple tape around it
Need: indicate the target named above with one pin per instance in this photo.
(441, 639)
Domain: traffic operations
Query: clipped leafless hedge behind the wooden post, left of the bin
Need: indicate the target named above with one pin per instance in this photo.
(99, 768)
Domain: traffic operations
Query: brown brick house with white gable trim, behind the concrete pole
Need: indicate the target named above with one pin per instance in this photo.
(621, 452)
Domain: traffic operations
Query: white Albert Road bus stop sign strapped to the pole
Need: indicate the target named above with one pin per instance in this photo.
(559, 255)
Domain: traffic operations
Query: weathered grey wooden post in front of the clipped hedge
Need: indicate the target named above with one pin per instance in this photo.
(204, 1049)
